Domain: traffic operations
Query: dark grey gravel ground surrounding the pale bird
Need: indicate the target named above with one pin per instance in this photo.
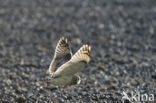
(122, 34)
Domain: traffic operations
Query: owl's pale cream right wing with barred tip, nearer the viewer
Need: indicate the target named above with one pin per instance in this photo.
(76, 63)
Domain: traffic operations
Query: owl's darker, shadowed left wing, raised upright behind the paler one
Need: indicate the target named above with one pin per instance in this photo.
(62, 51)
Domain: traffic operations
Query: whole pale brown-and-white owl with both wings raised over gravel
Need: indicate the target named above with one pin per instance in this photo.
(66, 73)
